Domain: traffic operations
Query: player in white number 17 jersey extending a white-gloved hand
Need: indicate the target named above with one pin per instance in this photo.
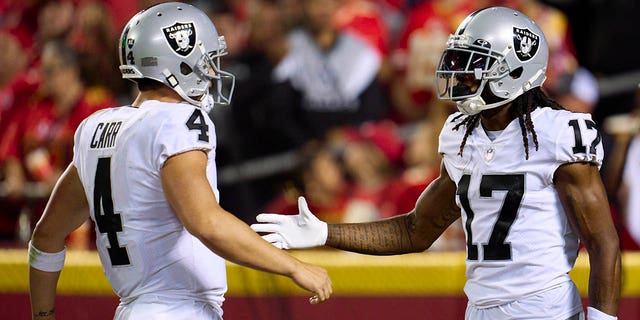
(521, 171)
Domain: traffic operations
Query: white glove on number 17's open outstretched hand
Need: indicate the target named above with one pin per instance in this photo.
(303, 230)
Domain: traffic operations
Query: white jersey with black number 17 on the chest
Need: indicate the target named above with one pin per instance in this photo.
(519, 241)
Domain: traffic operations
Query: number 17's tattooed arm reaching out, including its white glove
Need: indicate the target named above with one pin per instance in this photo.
(415, 231)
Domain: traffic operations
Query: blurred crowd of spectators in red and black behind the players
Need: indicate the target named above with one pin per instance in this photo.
(346, 86)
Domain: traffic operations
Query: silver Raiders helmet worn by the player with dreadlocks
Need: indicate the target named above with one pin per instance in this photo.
(502, 48)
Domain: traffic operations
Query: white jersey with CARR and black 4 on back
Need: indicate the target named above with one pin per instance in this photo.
(143, 246)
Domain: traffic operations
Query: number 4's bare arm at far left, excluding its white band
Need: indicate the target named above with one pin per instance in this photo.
(66, 210)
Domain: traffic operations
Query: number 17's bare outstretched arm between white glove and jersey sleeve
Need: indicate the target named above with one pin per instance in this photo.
(415, 231)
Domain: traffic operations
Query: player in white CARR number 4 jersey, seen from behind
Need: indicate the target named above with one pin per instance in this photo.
(147, 174)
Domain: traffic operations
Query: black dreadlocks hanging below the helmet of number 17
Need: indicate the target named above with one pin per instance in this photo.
(521, 108)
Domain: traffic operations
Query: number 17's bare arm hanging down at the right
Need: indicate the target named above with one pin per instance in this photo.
(584, 199)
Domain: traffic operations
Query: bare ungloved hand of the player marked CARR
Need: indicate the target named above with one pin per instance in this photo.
(314, 279)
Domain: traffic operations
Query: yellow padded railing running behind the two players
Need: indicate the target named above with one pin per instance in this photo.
(429, 273)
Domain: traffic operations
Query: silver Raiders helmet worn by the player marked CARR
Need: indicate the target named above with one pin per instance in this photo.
(178, 45)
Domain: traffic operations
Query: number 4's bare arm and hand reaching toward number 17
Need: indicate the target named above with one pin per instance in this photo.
(185, 184)
